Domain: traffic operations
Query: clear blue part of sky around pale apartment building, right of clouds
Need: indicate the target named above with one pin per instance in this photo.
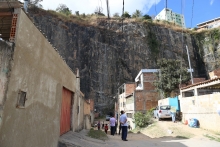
(203, 10)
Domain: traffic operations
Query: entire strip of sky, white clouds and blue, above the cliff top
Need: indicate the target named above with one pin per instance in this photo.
(203, 10)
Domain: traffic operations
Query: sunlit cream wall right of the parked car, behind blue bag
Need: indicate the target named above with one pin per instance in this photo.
(204, 108)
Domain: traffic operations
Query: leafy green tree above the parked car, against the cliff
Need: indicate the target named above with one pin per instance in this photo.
(169, 75)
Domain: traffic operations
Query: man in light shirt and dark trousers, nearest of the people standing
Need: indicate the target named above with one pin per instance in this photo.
(124, 126)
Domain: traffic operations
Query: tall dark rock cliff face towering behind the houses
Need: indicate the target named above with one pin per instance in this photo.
(108, 57)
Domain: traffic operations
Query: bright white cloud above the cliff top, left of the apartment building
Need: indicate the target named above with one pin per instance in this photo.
(88, 6)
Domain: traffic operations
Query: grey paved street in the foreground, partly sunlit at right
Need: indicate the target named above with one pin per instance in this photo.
(74, 139)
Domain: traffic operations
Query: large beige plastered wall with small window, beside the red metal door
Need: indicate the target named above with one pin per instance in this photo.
(38, 70)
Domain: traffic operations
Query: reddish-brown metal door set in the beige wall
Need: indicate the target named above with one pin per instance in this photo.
(65, 111)
